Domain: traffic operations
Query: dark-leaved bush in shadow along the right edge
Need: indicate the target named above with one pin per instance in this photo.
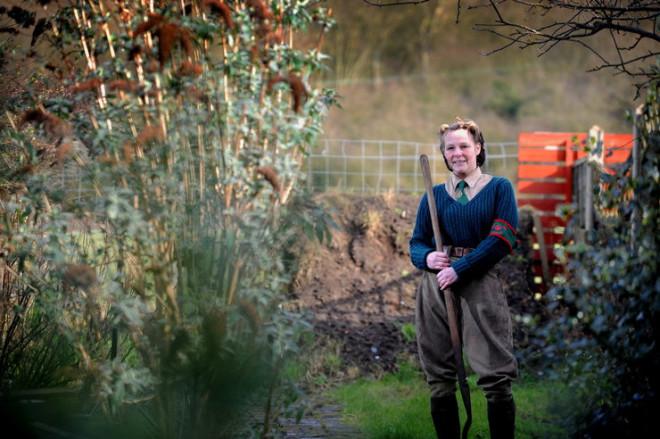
(604, 333)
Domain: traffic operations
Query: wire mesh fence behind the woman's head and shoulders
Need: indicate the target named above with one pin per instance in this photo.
(375, 166)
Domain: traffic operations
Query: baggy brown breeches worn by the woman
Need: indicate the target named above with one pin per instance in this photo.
(485, 324)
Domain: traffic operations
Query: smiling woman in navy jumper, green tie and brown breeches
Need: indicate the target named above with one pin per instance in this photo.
(478, 218)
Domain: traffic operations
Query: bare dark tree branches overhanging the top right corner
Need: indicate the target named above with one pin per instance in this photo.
(632, 28)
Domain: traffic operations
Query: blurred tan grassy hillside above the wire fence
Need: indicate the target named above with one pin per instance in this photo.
(403, 71)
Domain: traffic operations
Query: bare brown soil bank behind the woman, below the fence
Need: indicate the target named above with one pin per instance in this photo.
(361, 288)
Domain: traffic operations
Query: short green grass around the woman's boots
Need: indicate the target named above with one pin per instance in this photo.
(397, 406)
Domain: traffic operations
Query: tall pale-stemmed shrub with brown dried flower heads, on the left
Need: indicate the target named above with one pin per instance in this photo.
(149, 208)
